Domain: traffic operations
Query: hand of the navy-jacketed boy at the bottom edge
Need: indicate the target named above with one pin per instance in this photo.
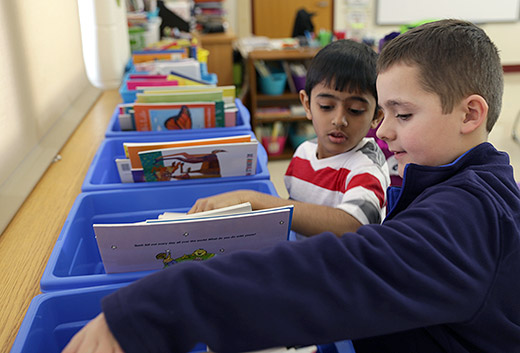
(95, 337)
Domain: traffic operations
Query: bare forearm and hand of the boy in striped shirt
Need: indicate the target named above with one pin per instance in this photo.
(308, 219)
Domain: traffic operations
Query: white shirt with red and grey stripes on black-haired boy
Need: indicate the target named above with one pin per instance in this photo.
(354, 181)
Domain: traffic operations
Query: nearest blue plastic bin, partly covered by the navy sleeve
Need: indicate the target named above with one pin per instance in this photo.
(53, 318)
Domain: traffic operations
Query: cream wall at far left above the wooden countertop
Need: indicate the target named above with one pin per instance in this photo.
(44, 92)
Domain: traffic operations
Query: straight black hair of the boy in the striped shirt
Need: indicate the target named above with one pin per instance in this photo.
(348, 65)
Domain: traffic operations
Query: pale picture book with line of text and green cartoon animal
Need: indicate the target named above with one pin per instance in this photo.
(154, 245)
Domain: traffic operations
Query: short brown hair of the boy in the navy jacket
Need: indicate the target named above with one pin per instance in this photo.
(455, 59)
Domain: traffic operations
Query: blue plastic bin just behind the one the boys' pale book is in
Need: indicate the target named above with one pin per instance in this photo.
(103, 174)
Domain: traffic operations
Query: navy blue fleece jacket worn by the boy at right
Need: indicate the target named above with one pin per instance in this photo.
(439, 275)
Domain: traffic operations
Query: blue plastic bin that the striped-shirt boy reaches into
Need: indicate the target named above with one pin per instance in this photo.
(75, 261)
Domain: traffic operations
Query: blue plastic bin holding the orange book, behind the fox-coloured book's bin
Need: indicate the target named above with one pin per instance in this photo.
(243, 124)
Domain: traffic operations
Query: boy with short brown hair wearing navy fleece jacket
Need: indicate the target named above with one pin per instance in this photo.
(440, 274)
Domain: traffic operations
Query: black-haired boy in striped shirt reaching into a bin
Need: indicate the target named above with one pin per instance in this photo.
(336, 182)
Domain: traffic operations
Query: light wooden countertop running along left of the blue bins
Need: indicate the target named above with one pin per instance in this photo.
(26, 244)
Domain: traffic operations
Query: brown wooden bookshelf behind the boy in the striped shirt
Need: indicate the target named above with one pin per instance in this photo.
(259, 100)
